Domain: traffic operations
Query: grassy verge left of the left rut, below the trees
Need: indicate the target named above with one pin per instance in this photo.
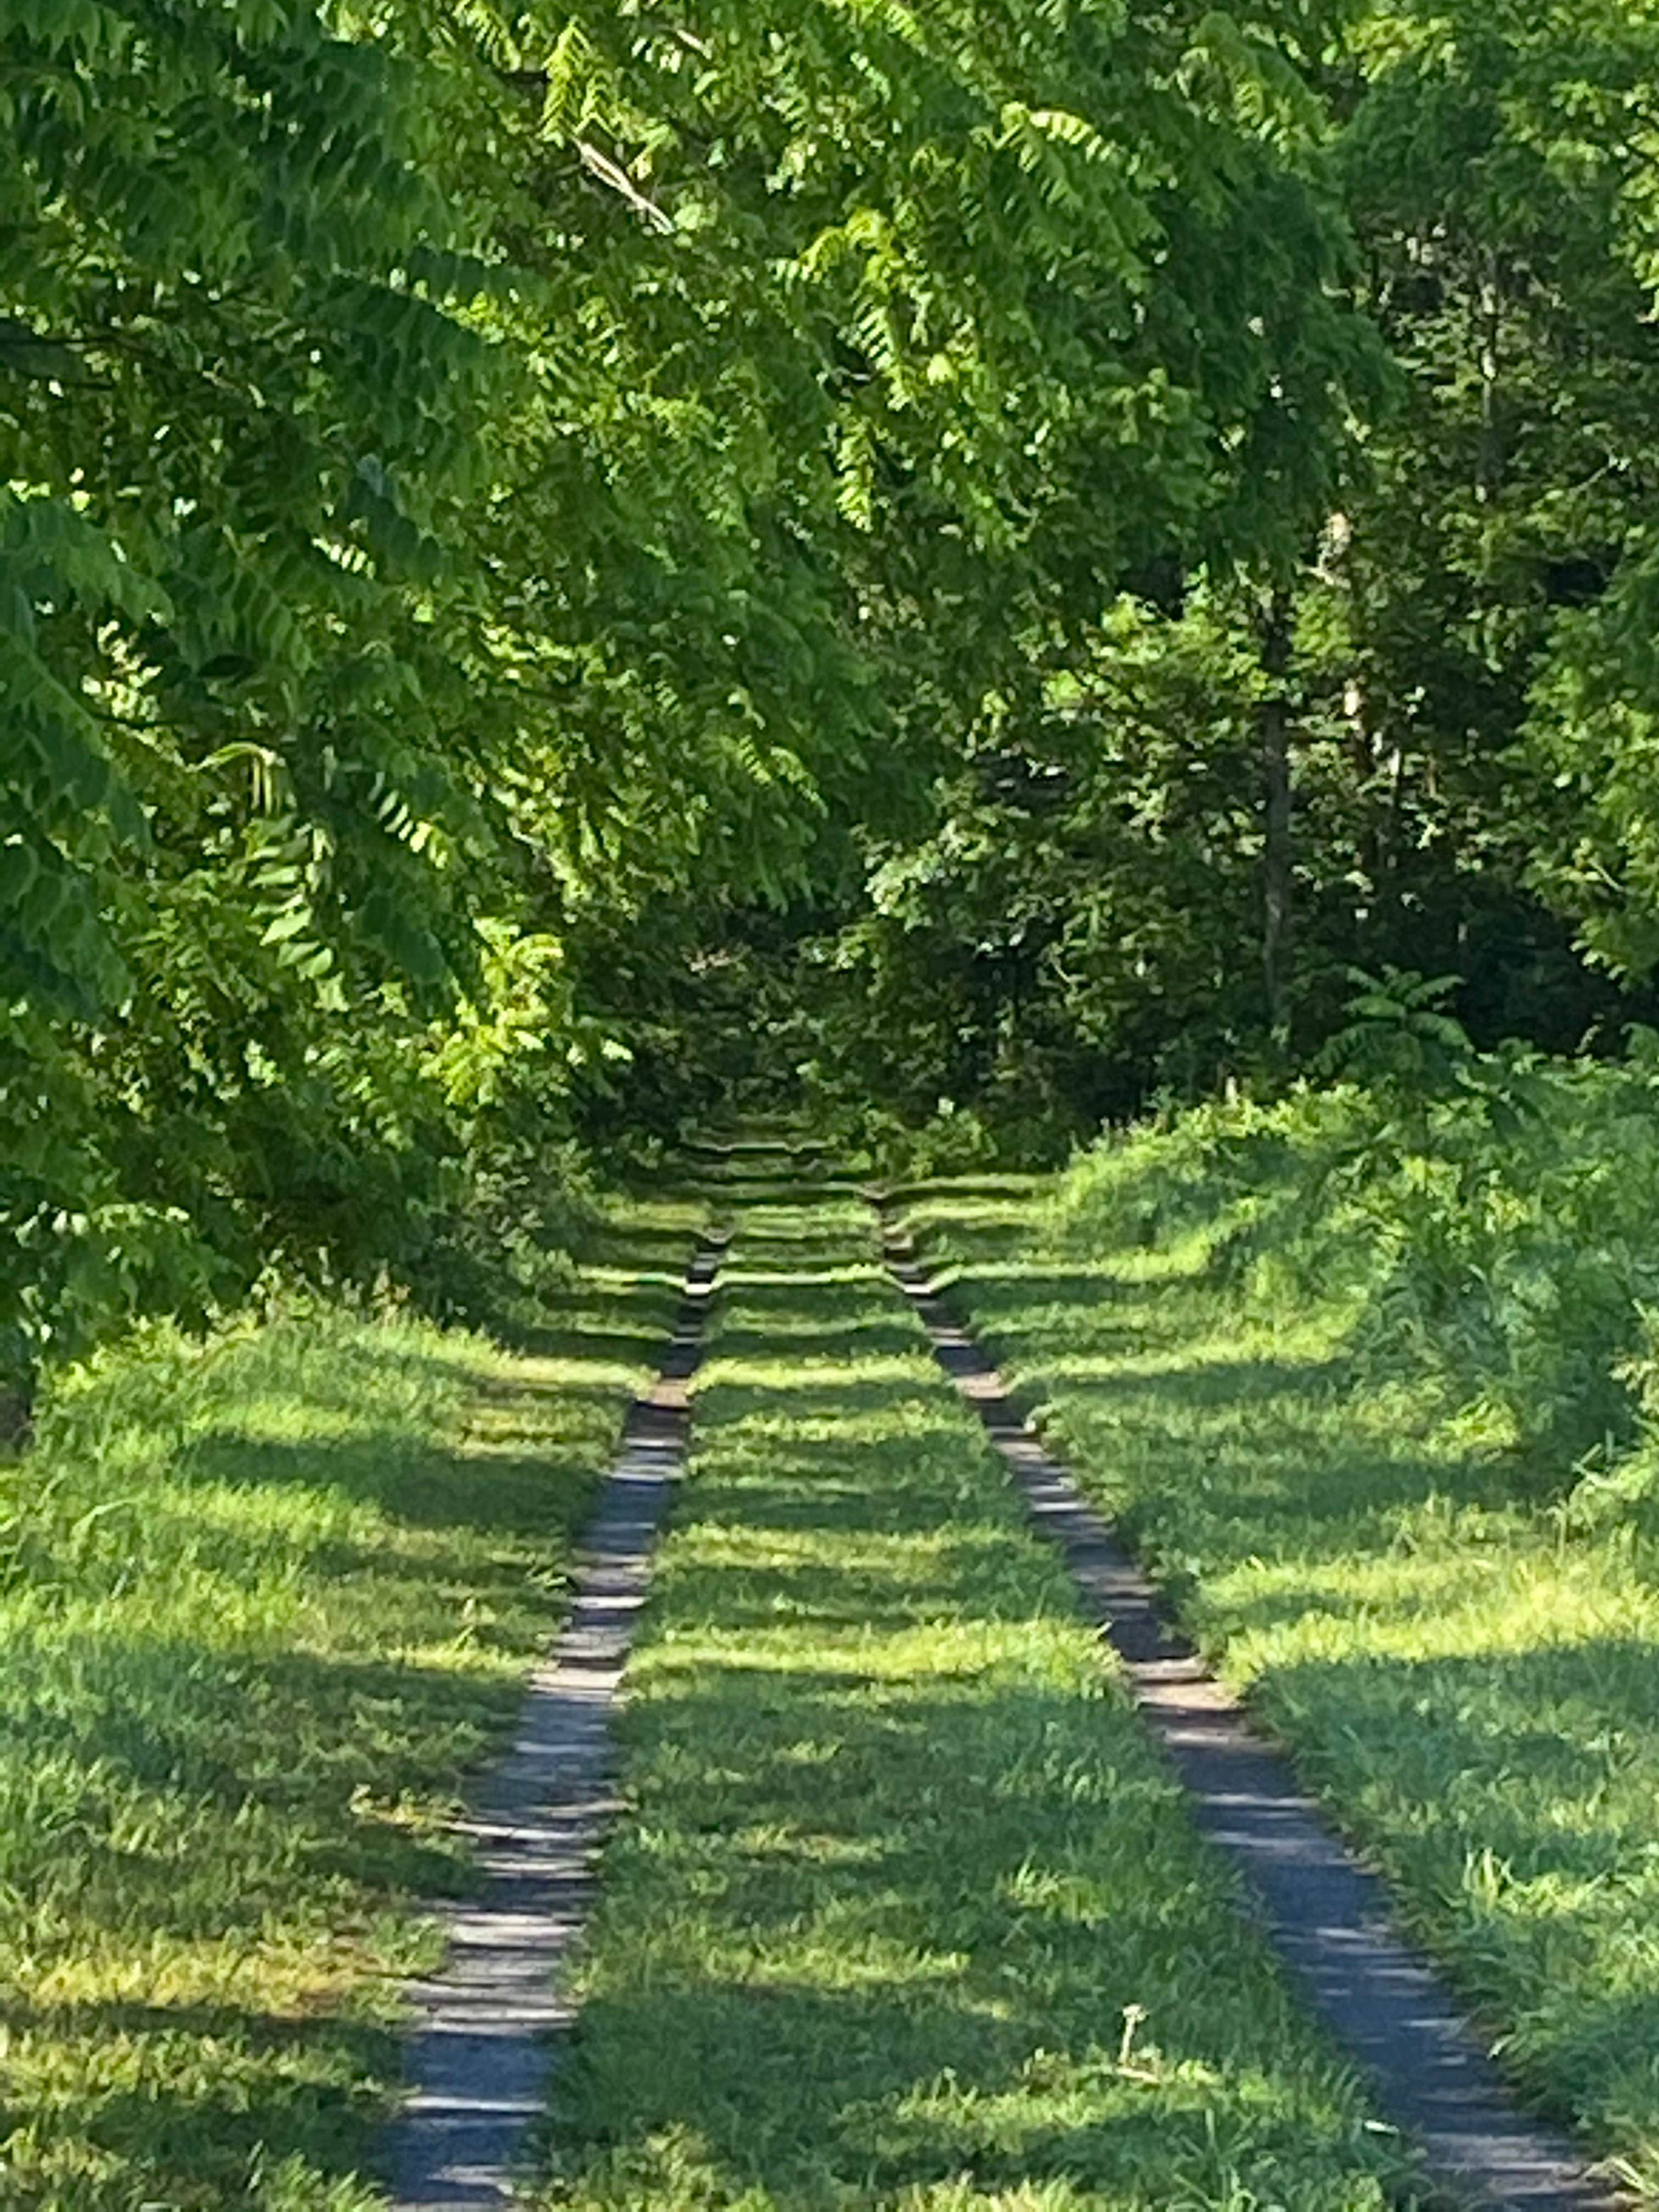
(262, 1605)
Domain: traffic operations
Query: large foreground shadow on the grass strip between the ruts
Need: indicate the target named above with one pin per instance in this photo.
(919, 1926)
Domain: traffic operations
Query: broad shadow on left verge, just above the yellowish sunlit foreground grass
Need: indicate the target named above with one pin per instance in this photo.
(187, 1811)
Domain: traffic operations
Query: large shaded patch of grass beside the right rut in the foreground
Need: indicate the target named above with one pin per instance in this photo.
(1512, 1795)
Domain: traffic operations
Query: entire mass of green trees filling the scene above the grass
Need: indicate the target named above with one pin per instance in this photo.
(957, 567)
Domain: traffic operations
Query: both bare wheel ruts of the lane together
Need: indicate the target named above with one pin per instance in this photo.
(481, 2058)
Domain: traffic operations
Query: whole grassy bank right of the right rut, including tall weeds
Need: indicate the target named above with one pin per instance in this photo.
(1326, 1368)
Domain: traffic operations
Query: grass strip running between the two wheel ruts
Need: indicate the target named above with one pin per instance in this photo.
(897, 1855)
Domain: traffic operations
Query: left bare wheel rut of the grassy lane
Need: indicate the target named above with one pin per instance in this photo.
(479, 2063)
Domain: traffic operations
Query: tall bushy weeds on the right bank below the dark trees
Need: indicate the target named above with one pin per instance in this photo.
(1481, 1220)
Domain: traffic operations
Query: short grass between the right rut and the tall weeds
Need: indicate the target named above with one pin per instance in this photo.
(1468, 1676)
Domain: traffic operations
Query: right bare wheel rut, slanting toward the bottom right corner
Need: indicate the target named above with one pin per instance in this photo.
(1326, 1914)
